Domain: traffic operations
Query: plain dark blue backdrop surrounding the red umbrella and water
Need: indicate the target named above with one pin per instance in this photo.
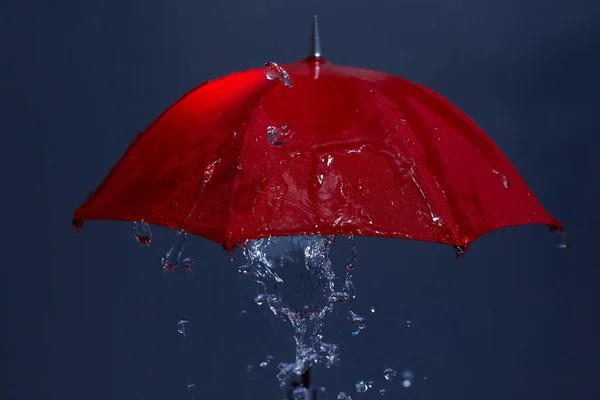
(91, 316)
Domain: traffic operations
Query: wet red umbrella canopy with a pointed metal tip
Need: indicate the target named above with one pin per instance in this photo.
(316, 148)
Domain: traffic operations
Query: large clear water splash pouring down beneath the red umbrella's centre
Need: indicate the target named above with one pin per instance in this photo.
(304, 297)
